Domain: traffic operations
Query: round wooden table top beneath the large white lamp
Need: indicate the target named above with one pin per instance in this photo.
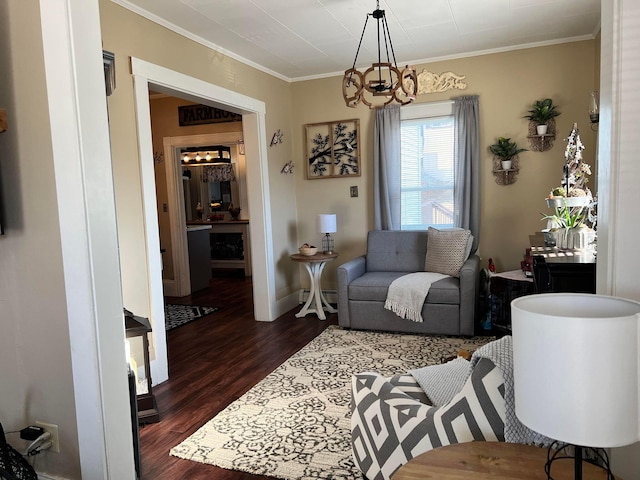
(491, 461)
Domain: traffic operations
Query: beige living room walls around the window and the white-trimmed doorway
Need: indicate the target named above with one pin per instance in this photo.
(507, 84)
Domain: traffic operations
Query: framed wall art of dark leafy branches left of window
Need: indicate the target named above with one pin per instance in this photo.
(333, 149)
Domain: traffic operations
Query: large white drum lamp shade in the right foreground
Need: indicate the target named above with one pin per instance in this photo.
(576, 367)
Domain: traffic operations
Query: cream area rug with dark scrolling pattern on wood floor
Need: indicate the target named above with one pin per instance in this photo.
(295, 424)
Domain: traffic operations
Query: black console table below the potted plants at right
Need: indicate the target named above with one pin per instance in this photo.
(556, 270)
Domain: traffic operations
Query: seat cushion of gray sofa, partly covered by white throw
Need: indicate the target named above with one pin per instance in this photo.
(373, 286)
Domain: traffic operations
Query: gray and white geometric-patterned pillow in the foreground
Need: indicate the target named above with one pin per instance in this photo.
(390, 427)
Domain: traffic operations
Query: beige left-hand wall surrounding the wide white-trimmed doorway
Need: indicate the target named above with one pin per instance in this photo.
(129, 35)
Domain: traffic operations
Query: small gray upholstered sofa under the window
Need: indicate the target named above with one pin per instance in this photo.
(363, 283)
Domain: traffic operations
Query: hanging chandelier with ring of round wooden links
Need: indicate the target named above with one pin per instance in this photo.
(381, 79)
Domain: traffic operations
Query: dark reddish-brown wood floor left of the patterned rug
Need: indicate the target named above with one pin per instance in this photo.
(212, 362)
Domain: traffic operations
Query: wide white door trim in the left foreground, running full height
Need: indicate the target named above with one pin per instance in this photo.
(77, 111)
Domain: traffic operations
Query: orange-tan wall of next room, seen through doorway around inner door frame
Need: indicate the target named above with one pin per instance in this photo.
(164, 123)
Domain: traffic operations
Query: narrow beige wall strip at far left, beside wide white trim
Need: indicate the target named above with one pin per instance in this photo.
(35, 359)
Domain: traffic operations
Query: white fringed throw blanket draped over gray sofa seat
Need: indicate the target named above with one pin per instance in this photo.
(407, 294)
